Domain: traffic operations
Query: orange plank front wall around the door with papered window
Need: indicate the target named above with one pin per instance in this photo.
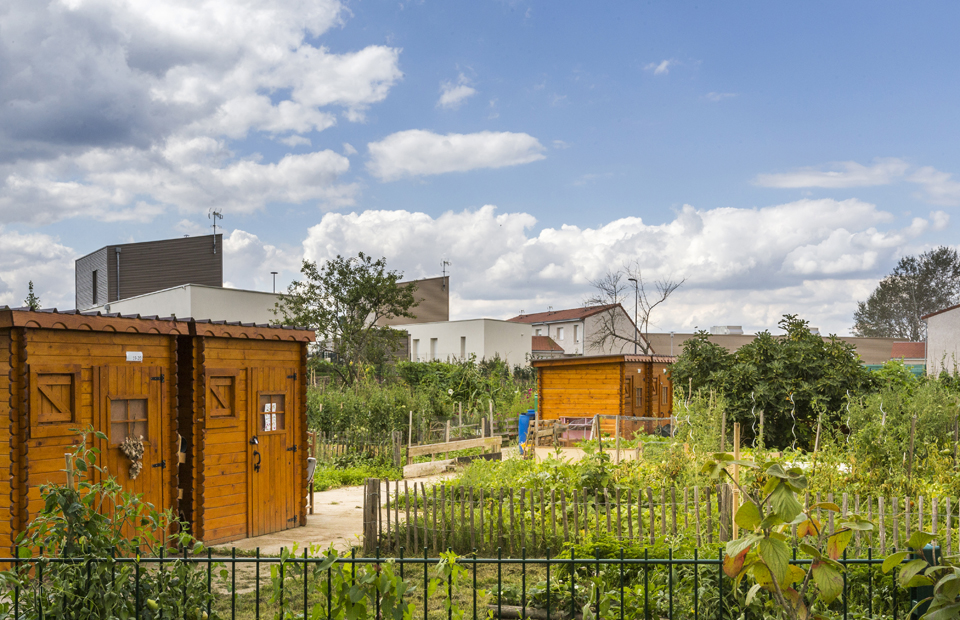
(223, 456)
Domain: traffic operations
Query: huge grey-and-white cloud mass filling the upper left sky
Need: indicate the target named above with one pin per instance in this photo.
(115, 109)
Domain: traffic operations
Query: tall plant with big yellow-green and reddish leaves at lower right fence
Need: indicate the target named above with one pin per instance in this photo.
(763, 552)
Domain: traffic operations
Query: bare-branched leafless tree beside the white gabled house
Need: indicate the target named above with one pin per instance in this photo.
(616, 330)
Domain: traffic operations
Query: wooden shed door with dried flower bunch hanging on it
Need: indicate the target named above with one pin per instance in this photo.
(129, 404)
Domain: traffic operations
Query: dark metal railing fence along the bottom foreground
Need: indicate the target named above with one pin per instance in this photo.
(546, 588)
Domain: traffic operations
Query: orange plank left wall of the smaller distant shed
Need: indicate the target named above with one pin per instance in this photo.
(581, 390)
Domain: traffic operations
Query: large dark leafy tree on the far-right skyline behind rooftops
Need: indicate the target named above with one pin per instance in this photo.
(917, 286)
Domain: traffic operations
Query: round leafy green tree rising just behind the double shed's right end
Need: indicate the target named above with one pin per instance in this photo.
(343, 300)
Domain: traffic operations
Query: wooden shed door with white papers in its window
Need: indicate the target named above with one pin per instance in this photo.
(272, 458)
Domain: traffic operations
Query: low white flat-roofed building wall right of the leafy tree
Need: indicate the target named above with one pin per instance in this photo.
(485, 338)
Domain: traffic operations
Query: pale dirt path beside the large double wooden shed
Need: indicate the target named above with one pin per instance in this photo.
(337, 521)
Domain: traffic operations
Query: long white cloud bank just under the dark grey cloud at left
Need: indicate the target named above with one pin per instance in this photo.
(189, 175)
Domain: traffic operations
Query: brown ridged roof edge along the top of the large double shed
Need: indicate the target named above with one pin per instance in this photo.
(52, 318)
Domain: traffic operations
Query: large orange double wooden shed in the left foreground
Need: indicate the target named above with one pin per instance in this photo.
(230, 396)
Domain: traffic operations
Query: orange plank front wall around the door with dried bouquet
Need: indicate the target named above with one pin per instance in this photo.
(43, 456)
